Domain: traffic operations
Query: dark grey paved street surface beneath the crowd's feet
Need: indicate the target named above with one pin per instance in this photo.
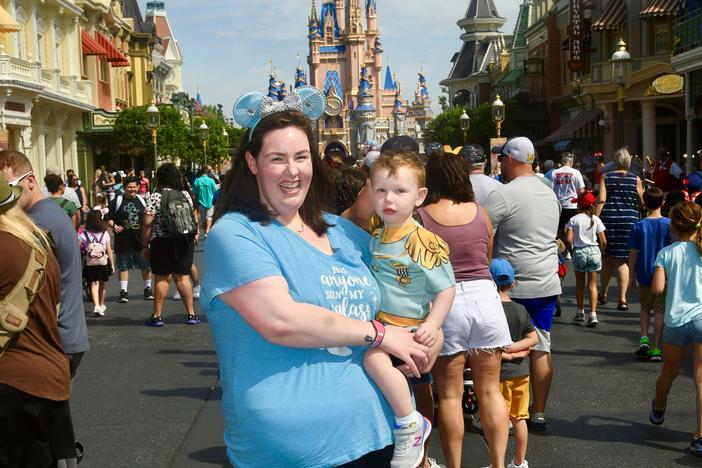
(148, 397)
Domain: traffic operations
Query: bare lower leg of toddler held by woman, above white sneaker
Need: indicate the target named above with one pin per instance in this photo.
(392, 383)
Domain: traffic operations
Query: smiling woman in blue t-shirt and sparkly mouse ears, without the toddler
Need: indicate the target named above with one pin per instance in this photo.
(289, 299)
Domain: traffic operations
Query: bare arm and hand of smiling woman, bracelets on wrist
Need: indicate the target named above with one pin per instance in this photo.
(266, 305)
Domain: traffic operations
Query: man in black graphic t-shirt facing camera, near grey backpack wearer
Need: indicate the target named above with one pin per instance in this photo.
(125, 217)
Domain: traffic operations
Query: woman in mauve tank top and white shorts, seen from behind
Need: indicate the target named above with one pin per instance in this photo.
(476, 328)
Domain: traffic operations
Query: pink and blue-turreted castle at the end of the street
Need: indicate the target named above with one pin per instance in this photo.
(364, 102)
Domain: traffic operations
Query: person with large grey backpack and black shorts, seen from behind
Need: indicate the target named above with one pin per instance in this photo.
(169, 230)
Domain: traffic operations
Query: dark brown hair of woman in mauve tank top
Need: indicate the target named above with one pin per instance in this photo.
(448, 176)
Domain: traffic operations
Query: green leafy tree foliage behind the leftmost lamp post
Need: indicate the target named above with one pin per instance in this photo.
(133, 136)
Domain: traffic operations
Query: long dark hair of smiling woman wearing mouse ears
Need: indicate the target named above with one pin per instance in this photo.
(241, 192)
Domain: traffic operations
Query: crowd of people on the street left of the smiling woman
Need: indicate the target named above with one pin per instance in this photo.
(60, 245)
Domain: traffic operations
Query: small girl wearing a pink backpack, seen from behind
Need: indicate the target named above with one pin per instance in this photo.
(98, 263)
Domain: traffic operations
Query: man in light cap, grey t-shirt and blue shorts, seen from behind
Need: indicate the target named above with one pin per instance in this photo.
(525, 213)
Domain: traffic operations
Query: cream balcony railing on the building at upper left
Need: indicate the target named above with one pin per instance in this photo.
(50, 81)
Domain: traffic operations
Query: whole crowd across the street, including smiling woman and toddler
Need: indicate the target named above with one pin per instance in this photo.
(338, 316)
